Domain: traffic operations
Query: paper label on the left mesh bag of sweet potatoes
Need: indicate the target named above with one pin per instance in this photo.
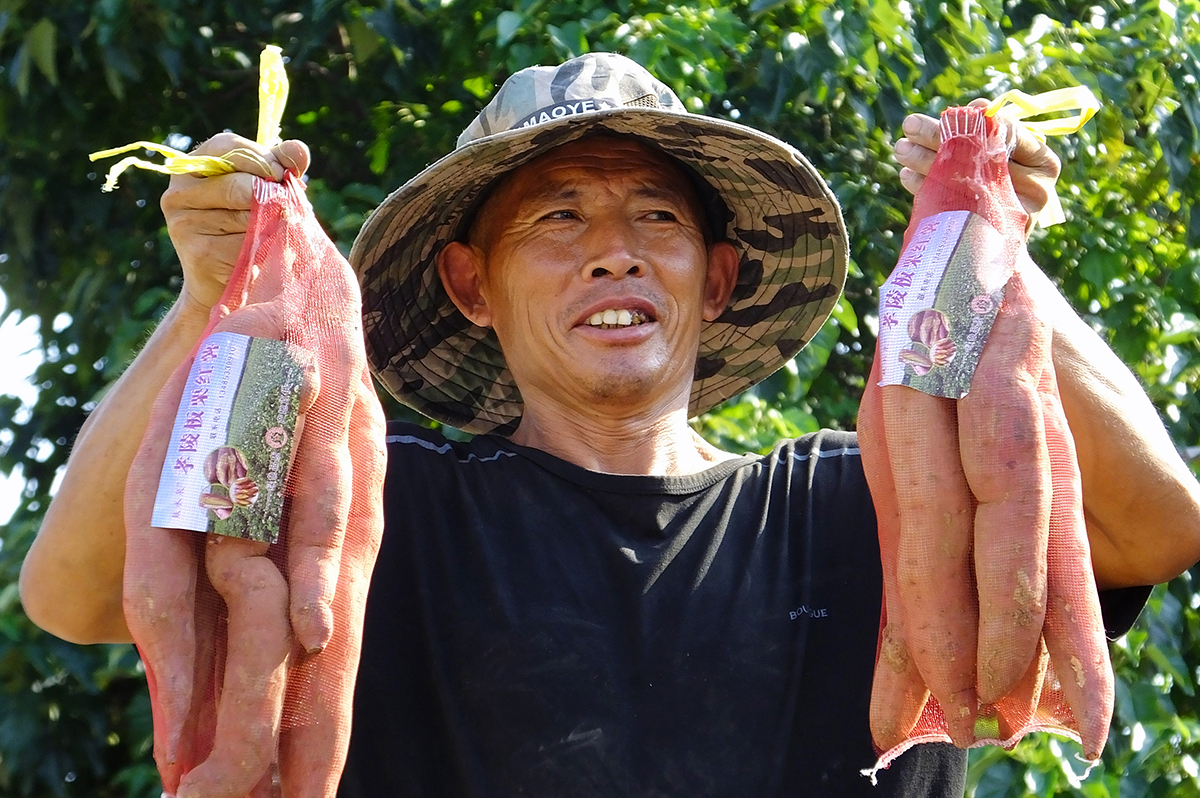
(233, 440)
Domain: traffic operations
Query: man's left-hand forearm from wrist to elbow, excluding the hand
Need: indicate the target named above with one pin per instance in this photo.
(71, 580)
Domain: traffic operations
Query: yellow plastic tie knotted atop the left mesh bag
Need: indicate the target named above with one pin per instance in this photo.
(273, 97)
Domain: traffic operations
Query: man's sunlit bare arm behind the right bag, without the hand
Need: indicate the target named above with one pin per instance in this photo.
(1142, 502)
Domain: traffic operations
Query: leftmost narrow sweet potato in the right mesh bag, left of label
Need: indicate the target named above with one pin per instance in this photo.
(898, 693)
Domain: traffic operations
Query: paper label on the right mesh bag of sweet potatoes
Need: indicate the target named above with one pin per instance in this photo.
(938, 307)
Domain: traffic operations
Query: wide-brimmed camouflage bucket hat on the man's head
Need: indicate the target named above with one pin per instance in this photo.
(783, 219)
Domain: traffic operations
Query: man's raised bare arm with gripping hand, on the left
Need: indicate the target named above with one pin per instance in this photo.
(71, 579)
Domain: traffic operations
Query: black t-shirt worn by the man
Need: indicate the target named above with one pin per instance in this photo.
(538, 629)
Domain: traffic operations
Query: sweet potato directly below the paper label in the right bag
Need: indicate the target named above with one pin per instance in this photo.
(934, 579)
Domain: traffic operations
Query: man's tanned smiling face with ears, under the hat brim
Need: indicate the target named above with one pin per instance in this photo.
(593, 271)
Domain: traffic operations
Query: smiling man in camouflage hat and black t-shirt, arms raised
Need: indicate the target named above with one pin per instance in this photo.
(590, 599)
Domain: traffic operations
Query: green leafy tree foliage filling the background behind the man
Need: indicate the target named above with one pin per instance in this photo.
(382, 88)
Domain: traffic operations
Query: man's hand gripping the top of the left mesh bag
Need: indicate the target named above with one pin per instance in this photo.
(207, 217)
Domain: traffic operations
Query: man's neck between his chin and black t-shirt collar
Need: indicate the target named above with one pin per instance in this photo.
(649, 445)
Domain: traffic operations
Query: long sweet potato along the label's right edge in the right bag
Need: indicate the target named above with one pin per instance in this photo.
(1007, 466)
